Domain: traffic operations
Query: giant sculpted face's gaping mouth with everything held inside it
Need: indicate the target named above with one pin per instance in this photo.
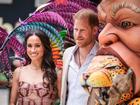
(108, 69)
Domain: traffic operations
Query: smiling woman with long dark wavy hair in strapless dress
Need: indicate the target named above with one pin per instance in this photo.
(35, 83)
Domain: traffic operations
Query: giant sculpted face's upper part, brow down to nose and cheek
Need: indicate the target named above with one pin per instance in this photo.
(121, 22)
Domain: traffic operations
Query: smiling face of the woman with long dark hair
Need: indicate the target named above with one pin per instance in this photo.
(35, 48)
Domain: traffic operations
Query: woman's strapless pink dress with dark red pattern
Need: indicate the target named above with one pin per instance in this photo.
(36, 94)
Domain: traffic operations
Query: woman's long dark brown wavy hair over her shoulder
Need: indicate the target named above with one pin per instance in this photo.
(47, 64)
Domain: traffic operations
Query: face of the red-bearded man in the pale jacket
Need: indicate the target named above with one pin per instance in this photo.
(83, 33)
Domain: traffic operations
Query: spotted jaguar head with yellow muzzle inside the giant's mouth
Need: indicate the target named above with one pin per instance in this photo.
(105, 65)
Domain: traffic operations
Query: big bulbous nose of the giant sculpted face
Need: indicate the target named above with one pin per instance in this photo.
(108, 35)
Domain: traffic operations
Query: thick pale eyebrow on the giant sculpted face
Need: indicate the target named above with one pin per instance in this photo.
(117, 7)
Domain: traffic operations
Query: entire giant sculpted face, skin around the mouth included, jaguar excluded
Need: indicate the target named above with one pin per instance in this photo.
(120, 21)
